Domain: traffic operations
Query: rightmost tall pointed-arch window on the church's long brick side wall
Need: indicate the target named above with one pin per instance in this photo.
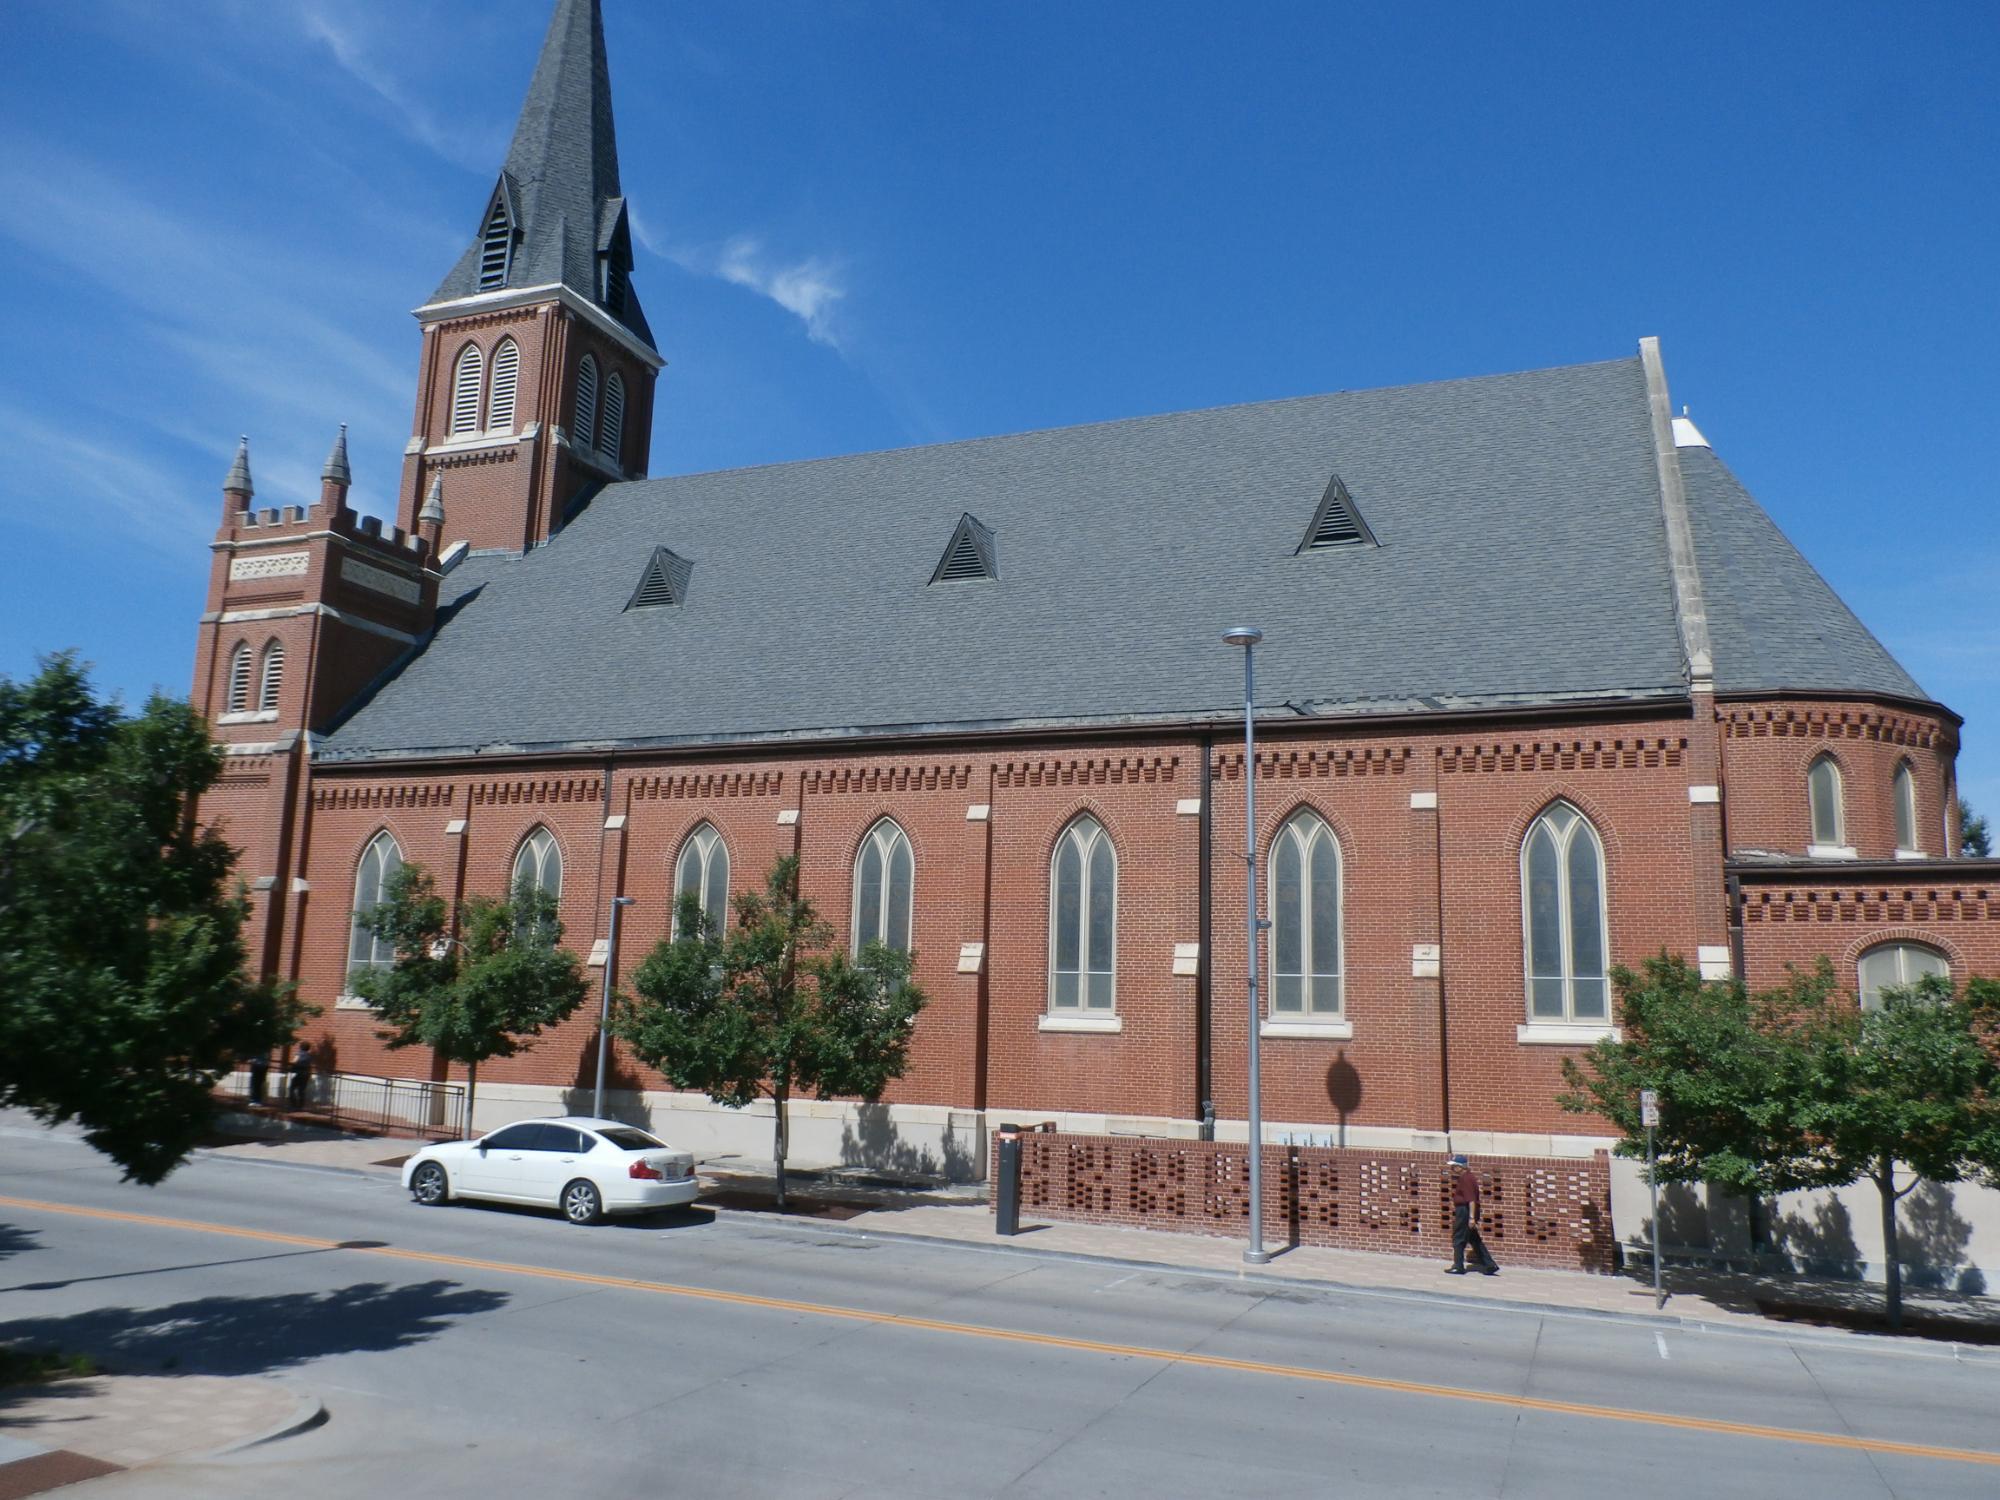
(1563, 909)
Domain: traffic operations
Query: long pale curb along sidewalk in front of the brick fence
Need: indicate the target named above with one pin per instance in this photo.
(1909, 1345)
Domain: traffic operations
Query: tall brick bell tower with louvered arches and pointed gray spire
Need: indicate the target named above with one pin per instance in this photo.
(537, 369)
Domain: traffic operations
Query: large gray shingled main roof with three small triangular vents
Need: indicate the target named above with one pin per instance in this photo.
(1523, 561)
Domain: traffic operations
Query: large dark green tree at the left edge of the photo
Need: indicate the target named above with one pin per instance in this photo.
(123, 993)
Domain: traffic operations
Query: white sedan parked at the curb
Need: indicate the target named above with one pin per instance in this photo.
(585, 1167)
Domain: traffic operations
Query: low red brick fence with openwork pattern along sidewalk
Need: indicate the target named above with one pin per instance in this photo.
(1537, 1211)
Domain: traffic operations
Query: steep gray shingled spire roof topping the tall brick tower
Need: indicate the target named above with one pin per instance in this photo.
(563, 171)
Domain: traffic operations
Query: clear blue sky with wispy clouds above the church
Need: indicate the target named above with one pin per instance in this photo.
(877, 225)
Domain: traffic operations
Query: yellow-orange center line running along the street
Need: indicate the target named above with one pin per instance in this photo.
(1055, 1341)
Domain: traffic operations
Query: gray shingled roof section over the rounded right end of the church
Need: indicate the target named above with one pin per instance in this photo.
(1773, 619)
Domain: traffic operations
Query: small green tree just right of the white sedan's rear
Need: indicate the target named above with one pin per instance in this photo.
(763, 1009)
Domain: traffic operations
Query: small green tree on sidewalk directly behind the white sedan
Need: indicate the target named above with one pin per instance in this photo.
(475, 997)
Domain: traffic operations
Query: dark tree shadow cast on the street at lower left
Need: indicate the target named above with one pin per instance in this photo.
(255, 1335)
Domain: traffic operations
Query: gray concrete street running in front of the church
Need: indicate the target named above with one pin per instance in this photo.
(495, 1353)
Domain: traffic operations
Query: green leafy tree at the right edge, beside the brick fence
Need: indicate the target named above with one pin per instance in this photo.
(1803, 1089)
